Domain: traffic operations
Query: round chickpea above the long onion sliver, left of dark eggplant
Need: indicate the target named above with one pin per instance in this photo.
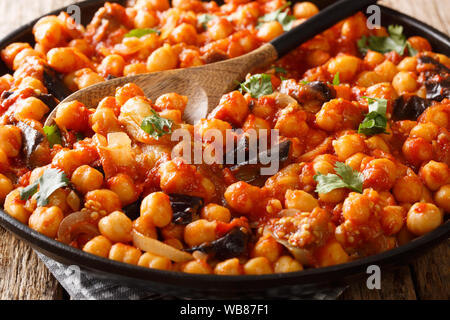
(157, 209)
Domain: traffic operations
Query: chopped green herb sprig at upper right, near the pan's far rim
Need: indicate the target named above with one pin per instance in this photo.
(395, 42)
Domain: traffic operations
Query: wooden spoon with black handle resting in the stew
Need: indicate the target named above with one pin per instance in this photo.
(205, 85)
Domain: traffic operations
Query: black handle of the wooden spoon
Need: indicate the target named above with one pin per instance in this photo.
(325, 19)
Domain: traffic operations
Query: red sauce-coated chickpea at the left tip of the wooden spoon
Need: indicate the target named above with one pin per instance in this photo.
(72, 116)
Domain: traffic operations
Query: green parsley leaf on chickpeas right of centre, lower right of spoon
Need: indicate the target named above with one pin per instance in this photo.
(345, 177)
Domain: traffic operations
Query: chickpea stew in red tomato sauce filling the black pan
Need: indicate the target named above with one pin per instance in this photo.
(363, 118)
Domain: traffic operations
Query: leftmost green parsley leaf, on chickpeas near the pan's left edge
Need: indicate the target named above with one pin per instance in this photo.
(49, 182)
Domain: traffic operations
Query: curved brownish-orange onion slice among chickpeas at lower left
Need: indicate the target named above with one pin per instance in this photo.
(75, 224)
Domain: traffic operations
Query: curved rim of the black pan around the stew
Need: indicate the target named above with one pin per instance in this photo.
(107, 267)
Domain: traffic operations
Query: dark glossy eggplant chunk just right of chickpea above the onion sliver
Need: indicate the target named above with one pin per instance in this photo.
(185, 208)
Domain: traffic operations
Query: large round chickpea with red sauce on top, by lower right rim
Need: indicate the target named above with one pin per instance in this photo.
(423, 218)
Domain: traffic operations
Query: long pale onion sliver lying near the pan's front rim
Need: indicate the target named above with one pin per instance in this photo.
(160, 249)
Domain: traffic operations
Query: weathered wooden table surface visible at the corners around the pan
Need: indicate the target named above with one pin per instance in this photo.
(24, 276)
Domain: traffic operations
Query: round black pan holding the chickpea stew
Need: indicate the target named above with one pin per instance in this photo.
(297, 284)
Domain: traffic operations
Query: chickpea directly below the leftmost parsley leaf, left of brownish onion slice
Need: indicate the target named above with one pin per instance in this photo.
(46, 220)
